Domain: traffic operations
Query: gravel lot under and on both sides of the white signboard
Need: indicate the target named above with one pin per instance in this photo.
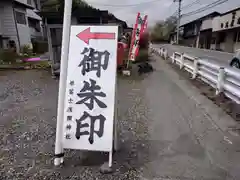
(28, 102)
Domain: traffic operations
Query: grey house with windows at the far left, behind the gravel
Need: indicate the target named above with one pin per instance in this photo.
(19, 23)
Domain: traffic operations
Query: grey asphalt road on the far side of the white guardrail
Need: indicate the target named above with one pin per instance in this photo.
(222, 58)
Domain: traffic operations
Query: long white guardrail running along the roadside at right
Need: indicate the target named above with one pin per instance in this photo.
(223, 79)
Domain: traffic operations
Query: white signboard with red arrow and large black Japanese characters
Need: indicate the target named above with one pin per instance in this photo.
(90, 93)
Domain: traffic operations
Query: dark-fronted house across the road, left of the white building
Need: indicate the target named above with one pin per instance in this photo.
(198, 32)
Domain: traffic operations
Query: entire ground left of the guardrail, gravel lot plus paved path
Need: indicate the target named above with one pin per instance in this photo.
(168, 131)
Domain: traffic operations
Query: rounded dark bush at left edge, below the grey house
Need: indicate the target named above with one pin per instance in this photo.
(8, 56)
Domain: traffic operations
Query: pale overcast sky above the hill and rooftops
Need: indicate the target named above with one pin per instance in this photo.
(157, 9)
